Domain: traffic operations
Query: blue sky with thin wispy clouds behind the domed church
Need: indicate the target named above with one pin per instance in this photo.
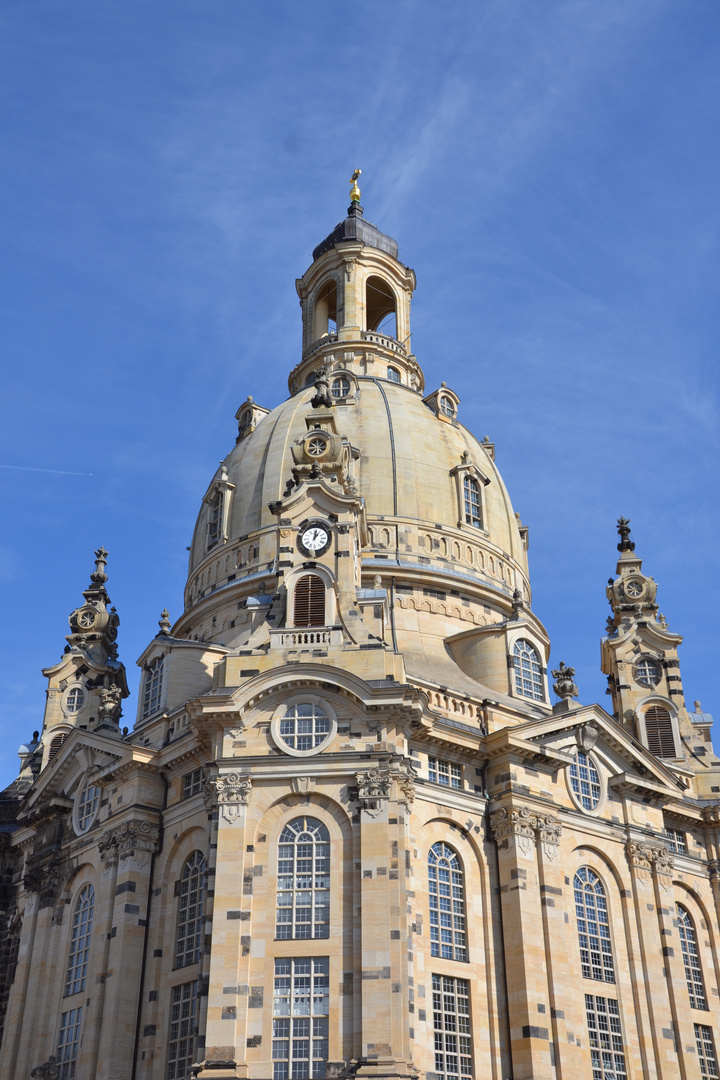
(551, 173)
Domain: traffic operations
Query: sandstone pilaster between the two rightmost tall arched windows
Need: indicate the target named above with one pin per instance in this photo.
(653, 1008)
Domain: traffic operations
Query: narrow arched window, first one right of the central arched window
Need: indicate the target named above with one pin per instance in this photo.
(447, 903)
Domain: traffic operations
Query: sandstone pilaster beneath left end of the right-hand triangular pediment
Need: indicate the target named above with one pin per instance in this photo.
(514, 829)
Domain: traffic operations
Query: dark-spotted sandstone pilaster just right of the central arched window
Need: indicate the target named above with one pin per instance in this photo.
(387, 943)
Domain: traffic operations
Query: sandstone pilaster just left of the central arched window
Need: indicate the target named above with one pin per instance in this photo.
(232, 1021)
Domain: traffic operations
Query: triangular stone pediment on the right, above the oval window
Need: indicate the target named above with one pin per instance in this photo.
(630, 765)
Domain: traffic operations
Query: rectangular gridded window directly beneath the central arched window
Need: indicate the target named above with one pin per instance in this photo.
(302, 1004)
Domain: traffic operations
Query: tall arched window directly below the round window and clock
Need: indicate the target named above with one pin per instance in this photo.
(304, 881)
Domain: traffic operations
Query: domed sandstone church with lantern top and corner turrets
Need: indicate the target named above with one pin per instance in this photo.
(350, 833)
